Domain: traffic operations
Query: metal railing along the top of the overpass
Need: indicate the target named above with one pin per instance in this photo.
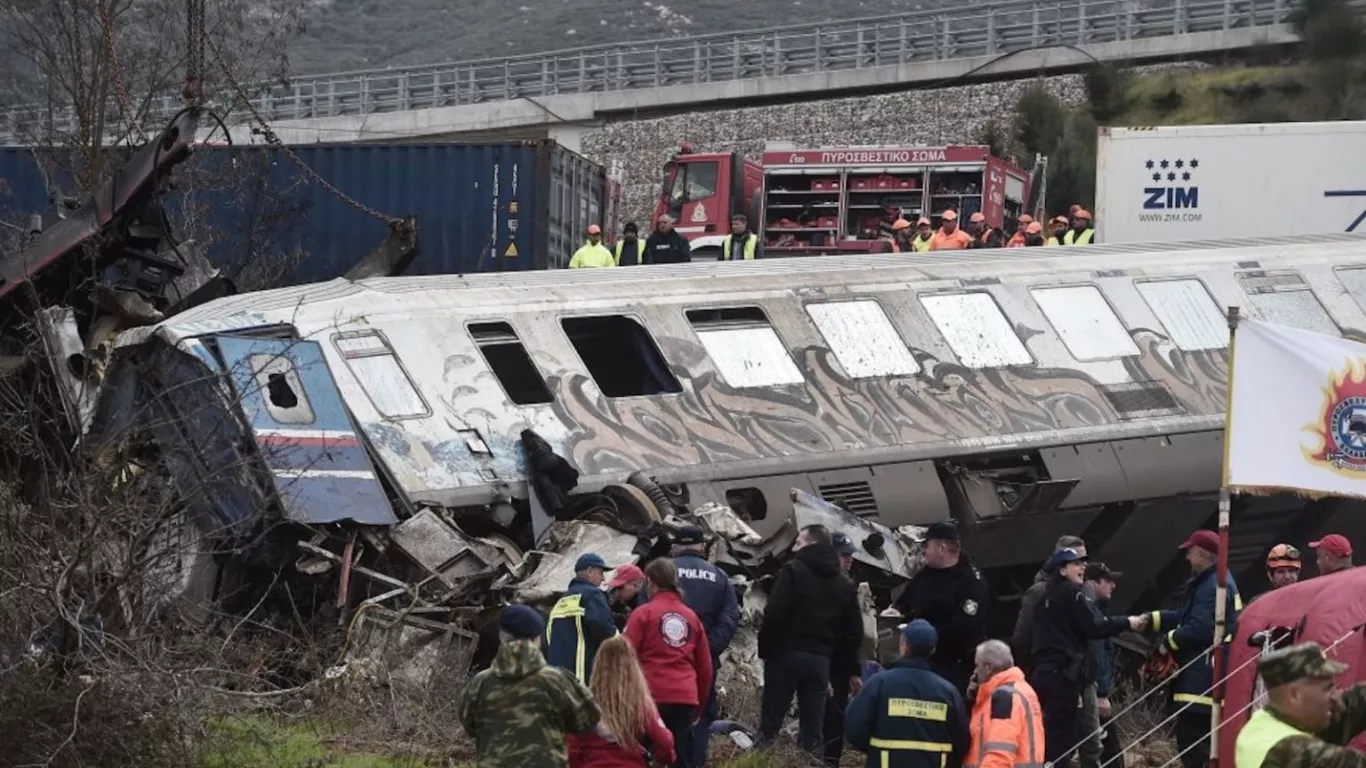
(934, 36)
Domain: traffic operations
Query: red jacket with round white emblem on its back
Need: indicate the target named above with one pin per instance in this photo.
(671, 644)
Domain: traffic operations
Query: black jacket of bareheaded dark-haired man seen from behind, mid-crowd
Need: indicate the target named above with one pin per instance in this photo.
(813, 609)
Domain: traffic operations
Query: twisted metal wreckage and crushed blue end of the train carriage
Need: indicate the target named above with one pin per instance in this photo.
(245, 422)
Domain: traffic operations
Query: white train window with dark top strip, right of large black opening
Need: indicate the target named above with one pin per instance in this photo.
(745, 348)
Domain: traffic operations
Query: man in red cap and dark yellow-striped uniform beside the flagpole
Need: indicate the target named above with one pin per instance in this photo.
(1188, 635)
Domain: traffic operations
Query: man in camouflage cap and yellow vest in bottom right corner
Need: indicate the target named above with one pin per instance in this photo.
(1305, 724)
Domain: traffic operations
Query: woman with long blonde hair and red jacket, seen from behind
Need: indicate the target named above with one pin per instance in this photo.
(630, 730)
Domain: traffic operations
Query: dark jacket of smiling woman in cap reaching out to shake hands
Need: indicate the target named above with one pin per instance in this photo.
(1065, 625)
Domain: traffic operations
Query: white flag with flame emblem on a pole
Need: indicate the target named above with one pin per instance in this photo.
(1298, 417)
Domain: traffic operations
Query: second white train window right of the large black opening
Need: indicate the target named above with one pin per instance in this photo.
(863, 340)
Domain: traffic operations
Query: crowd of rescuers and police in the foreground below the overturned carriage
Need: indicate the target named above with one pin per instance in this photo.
(630, 663)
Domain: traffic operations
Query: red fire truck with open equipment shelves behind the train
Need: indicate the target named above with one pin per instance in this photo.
(837, 200)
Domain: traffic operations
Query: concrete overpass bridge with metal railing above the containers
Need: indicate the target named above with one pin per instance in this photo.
(568, 94)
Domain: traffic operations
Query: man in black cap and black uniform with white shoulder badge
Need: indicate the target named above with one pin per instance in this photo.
(951, 595)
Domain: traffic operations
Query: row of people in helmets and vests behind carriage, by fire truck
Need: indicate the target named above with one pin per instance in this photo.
(667, 247)
